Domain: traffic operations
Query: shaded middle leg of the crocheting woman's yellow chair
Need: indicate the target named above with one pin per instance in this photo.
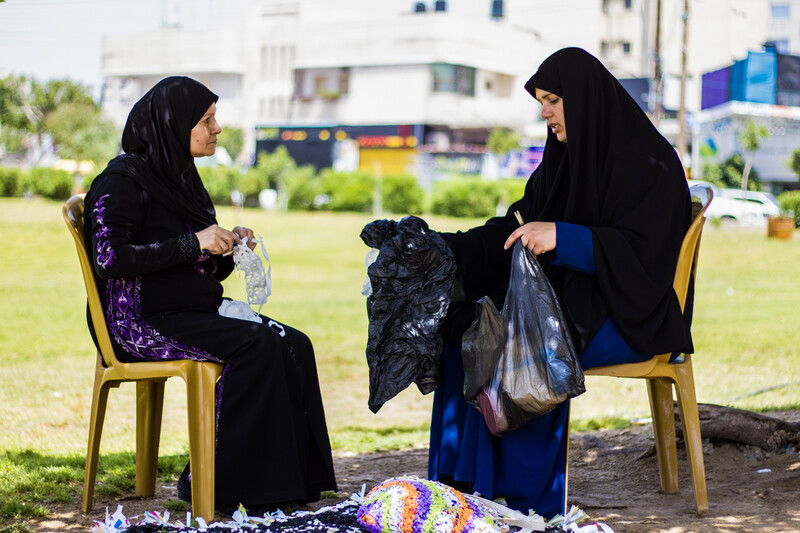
(149, 408)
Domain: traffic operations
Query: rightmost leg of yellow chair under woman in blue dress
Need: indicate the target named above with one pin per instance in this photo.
(687, 404)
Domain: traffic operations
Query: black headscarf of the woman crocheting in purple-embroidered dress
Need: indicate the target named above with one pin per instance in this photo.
(156, 142)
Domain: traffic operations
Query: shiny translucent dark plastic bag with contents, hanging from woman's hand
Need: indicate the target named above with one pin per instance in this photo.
(520, 363)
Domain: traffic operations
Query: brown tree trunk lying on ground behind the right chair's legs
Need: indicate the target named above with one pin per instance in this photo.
(745, 427)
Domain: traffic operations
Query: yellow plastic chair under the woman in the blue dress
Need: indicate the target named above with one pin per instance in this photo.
(661, 375)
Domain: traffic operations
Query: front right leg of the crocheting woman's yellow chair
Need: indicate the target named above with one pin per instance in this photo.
(201, 400)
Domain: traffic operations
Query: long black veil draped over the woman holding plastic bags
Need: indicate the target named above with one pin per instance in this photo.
(619, 177)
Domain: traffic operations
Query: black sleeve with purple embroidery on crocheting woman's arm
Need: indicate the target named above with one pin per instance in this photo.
(115, 213)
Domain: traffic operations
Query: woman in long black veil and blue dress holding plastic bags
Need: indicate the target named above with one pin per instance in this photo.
(606, 212)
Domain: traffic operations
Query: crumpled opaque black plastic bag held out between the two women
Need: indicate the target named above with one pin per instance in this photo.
(412, 280)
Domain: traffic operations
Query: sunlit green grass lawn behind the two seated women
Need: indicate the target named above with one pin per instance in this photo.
(745, 333)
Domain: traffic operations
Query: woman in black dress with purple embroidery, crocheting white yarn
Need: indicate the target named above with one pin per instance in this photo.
(151, 230)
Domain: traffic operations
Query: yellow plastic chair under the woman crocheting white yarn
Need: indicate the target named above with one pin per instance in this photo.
(150, 377)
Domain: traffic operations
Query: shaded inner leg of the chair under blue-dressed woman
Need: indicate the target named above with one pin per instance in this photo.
(660, 392)
